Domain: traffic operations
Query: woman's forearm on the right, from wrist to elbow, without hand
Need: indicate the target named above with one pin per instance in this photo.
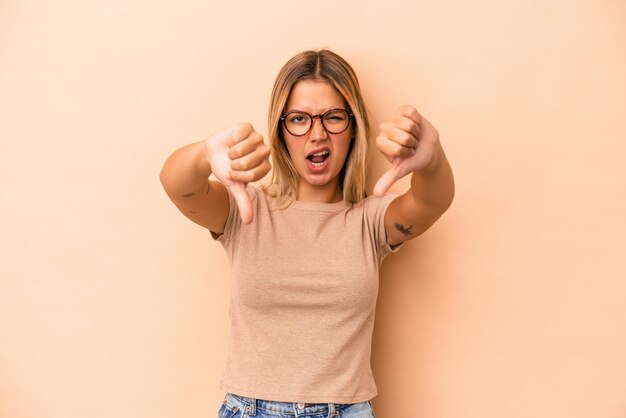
(432, 187)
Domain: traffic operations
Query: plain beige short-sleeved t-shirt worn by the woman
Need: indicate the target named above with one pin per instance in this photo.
(303, 298)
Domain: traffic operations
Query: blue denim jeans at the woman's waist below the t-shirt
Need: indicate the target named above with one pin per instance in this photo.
(235, 406)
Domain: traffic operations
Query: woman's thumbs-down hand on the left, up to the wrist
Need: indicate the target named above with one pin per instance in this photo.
(237, 156)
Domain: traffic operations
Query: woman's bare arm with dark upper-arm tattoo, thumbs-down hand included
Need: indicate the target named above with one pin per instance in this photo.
(412, 144)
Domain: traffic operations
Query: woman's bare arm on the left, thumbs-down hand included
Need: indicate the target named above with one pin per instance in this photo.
(236, 156)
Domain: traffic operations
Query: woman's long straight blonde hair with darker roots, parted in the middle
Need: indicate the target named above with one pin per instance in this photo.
(318, 65)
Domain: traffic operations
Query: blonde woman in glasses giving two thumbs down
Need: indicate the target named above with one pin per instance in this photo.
(305, 249)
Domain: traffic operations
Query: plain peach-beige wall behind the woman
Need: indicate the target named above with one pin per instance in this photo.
(112, 304)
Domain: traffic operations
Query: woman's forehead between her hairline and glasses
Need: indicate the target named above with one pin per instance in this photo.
(314, 96)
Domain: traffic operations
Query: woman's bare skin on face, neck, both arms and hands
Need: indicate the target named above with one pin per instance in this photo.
(237, 155)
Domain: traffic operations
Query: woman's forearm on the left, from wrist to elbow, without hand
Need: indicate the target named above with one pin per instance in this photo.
(186, 171)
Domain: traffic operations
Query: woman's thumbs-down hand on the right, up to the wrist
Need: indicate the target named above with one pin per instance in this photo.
(409, 142)
